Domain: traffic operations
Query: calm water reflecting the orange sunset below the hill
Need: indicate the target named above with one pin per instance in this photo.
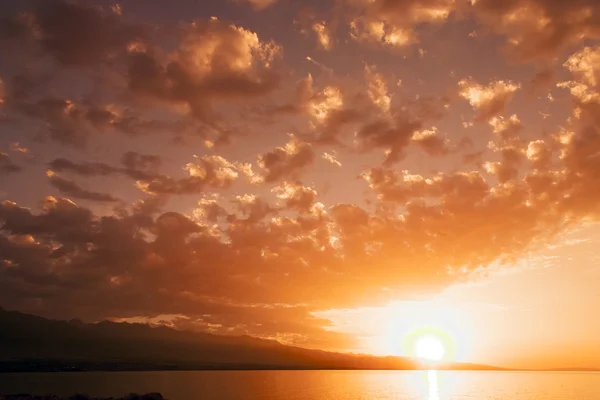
(315, 385)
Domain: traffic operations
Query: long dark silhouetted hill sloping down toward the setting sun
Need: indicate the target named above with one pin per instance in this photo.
(29, 342)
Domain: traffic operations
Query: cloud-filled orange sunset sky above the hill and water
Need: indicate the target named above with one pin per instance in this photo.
(333, 174)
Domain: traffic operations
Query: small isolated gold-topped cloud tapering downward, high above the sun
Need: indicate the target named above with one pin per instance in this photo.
(489, 100)
